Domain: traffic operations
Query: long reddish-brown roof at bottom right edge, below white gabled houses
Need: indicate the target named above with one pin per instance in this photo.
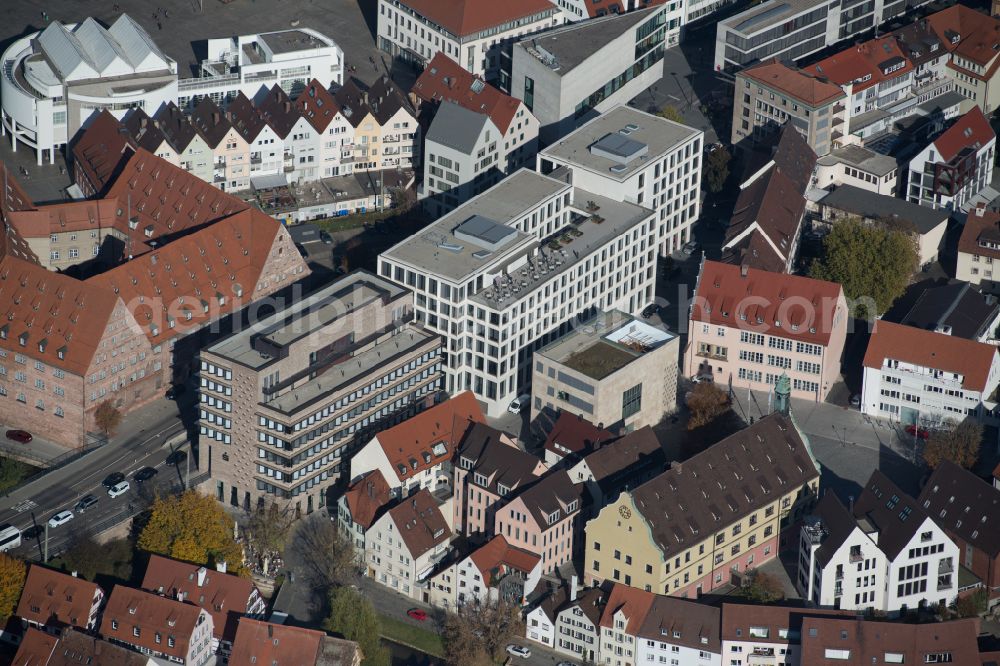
(869, 642)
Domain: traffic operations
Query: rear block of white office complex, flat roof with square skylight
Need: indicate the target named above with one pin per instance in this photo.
(631, 156)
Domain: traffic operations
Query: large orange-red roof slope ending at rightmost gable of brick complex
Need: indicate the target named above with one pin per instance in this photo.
(183, 281)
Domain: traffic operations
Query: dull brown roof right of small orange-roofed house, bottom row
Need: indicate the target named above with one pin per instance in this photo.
(682, 622)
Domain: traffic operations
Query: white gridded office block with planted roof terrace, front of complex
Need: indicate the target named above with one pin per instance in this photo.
(509, 271)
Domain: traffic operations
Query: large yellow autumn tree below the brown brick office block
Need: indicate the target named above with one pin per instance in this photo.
(195, 528)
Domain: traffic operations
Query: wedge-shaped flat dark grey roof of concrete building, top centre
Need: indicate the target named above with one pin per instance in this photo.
(564, 49)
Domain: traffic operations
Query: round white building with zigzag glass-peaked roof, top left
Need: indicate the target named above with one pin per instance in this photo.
(54, 80)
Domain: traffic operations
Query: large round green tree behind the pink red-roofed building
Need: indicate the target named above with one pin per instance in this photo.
(872, 263)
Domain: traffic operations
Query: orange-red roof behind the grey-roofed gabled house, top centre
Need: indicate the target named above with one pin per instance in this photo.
(445, 80)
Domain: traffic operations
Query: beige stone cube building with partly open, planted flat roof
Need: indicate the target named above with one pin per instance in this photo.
(613, 370)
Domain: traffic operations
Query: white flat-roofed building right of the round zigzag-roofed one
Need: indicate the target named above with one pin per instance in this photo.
(247, 63)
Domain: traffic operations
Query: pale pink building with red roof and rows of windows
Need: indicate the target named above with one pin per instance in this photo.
(748, 327)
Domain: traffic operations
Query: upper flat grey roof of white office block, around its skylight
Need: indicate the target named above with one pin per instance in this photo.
(438, 250)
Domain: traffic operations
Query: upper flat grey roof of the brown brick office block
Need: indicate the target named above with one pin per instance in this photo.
(313, 312)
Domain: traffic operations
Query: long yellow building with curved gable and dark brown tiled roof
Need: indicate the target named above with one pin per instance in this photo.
(722, 511)
